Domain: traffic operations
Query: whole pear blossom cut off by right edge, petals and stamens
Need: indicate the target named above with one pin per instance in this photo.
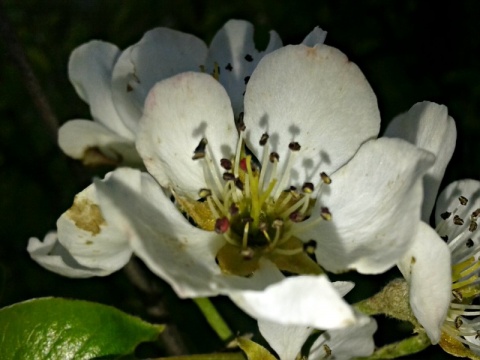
(443, 265)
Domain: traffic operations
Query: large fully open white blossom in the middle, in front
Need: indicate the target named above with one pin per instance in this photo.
(267, 201)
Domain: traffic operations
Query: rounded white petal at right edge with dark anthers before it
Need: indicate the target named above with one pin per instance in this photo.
(448, 201)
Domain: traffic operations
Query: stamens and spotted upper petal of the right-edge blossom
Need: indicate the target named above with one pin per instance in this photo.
(457, 213)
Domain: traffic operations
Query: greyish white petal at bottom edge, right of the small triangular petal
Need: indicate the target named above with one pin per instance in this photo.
(348, 343)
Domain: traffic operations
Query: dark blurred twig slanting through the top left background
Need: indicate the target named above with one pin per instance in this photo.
(29, 79)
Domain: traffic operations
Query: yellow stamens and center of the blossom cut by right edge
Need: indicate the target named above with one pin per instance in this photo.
(460, 326)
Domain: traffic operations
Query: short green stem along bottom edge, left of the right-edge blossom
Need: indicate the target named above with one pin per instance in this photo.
(405, 347)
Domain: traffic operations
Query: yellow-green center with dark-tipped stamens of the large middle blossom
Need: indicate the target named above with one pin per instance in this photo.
(253, 208)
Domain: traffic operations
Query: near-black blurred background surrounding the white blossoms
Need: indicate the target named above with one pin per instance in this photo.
(409, 51)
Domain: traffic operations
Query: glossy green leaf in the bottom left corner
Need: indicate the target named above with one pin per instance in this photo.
(52, 328)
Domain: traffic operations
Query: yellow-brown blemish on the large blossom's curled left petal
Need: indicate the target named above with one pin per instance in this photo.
(86, 215)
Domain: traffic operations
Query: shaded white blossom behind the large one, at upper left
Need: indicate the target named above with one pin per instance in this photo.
(115, 83)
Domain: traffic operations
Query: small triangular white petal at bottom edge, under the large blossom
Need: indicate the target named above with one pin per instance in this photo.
(286, 340)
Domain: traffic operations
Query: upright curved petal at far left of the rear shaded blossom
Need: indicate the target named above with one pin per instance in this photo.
(90, 71)
